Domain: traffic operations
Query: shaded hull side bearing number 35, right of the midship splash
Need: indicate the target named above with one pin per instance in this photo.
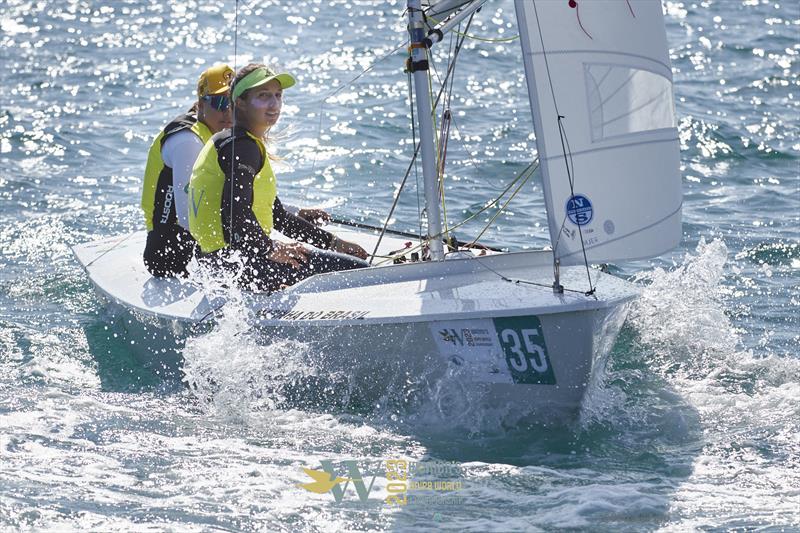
(462, 365)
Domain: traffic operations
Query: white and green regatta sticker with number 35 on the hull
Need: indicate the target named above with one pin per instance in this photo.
(502, 350)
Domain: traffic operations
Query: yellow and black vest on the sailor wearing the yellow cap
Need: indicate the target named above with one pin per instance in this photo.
(158, 191)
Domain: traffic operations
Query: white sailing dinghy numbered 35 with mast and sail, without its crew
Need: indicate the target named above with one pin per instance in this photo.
(524, 332)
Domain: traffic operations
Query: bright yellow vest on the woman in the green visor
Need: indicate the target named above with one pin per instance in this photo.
(206, 189)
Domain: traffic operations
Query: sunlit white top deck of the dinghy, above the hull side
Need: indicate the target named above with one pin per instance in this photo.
(461, 287)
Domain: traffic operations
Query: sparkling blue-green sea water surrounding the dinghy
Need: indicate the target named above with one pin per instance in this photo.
(695, 426)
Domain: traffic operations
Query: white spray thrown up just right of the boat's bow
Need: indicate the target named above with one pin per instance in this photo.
(683, 322)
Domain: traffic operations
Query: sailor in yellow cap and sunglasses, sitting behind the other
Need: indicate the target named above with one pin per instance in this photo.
(170, 246)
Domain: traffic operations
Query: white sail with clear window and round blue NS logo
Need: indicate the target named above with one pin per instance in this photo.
(610, 163)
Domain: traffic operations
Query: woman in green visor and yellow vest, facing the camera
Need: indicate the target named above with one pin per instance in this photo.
(234, 203)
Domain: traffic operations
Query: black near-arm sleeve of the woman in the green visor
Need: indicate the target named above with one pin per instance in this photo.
(244, 233)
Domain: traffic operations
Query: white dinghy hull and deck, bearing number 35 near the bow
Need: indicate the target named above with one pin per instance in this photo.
(458, 334)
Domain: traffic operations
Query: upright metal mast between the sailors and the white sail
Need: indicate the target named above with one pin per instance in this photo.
(419, 68)
